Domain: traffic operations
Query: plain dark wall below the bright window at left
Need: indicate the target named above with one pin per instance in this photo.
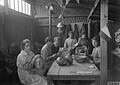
(14, 27)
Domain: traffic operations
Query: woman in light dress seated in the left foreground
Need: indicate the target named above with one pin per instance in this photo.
(27, 64)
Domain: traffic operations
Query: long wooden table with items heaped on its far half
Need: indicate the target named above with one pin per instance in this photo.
(77, 71)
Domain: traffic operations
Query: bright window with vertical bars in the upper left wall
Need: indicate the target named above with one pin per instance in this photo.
(20, 6)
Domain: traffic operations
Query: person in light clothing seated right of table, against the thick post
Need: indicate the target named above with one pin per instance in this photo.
(96, 53)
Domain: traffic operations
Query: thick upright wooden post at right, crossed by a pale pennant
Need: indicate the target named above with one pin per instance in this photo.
(104, 43)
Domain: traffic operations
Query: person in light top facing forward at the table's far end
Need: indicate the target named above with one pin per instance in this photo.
(70, 41)
